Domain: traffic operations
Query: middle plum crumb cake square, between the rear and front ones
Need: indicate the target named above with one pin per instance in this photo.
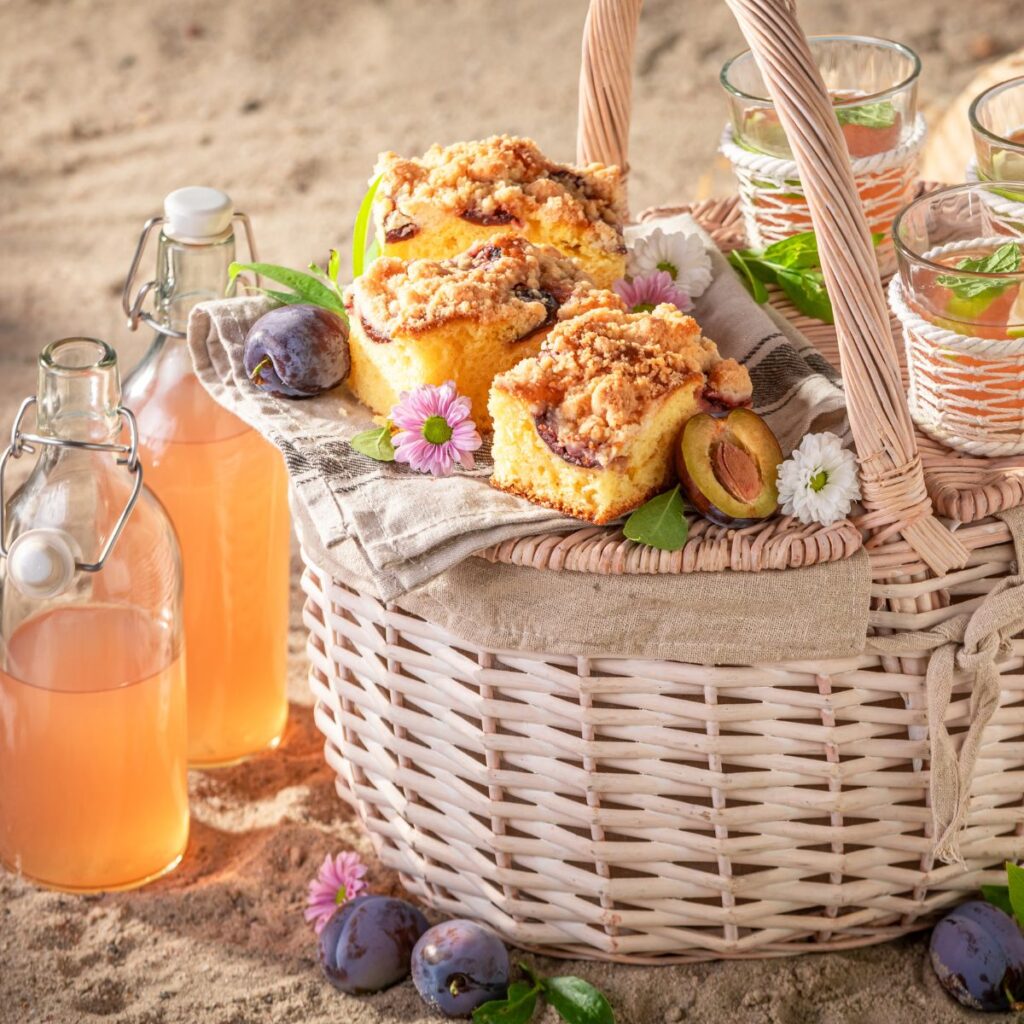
(466, 320)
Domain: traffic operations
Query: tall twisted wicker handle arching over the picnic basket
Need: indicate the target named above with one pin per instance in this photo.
(891, 475)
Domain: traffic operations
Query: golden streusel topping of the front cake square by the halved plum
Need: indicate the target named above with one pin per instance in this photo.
(599, 375)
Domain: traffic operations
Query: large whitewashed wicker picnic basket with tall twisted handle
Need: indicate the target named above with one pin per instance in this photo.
(645, 810)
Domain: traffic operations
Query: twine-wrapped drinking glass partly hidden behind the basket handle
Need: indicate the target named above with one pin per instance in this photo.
(874, 86)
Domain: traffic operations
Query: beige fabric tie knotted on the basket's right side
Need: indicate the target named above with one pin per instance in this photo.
(974, 644)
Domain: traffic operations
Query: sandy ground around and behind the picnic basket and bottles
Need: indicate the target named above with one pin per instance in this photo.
(110, 105)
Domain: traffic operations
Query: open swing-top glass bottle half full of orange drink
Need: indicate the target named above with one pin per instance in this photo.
(94, 791)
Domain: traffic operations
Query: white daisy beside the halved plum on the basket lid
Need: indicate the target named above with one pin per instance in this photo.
(819, 483)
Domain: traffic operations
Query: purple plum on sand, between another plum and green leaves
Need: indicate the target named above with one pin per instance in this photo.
(458, 966)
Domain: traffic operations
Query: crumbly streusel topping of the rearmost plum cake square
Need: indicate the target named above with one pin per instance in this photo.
(499, 181)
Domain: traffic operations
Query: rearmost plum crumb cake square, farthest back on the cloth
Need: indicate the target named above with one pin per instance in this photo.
(438, 205)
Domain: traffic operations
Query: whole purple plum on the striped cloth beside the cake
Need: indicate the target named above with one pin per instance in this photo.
(297, 352)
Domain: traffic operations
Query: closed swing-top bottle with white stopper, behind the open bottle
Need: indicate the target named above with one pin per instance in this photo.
(227, 492)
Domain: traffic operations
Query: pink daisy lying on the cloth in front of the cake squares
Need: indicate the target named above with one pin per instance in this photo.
(435, 431)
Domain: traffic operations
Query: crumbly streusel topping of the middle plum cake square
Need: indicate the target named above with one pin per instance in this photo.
(504, 279)
